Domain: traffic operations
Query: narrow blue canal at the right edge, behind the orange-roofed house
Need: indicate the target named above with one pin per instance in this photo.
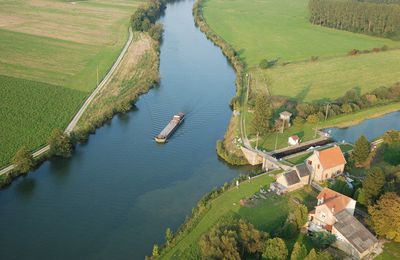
(371, 128)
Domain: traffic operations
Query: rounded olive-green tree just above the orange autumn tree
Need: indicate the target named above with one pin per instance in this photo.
(373, 184)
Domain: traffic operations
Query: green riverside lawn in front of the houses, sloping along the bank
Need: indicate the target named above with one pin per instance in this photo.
(267, 215)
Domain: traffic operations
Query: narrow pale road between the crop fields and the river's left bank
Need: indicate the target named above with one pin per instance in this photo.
(85, 105)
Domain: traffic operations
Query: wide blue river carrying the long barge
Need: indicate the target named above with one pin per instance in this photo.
(119, 192)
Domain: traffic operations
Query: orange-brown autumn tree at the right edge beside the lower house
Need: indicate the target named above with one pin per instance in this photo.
(385, 215)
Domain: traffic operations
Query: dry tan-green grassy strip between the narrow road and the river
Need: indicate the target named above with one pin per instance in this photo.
(137, 73)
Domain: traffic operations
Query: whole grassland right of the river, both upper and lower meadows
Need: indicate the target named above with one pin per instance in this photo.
(272, 29)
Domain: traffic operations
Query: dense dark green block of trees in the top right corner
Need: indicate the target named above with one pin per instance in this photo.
(363, 17)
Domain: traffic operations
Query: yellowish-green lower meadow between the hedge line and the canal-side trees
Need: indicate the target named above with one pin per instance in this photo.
(330, 78)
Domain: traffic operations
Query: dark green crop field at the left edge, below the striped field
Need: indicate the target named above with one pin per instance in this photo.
(26, 118)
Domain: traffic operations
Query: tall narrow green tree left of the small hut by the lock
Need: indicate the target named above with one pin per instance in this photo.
(262, 114)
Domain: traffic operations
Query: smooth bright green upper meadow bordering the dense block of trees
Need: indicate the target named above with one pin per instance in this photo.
(280, 29)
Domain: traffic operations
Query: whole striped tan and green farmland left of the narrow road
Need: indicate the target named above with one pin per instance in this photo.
(50, 51)
